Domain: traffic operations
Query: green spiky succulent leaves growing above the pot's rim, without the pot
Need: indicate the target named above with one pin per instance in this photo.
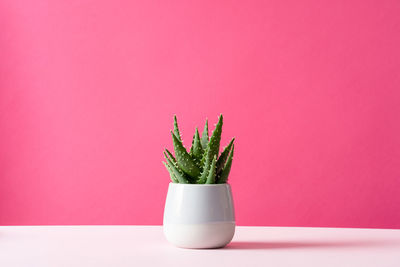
(202, 164)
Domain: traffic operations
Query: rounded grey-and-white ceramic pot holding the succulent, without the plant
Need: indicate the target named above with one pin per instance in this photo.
(199, 215)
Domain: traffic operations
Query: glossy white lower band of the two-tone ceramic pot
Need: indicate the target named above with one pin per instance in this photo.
(208, 235)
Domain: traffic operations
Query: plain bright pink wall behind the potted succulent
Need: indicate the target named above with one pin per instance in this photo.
(310, 89)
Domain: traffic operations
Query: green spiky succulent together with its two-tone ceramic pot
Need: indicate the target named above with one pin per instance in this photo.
(199, 210)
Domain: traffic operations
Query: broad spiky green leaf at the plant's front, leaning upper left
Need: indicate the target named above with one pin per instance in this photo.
(183, 159)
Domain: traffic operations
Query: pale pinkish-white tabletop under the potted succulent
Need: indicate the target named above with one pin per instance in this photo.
(76, 246)
